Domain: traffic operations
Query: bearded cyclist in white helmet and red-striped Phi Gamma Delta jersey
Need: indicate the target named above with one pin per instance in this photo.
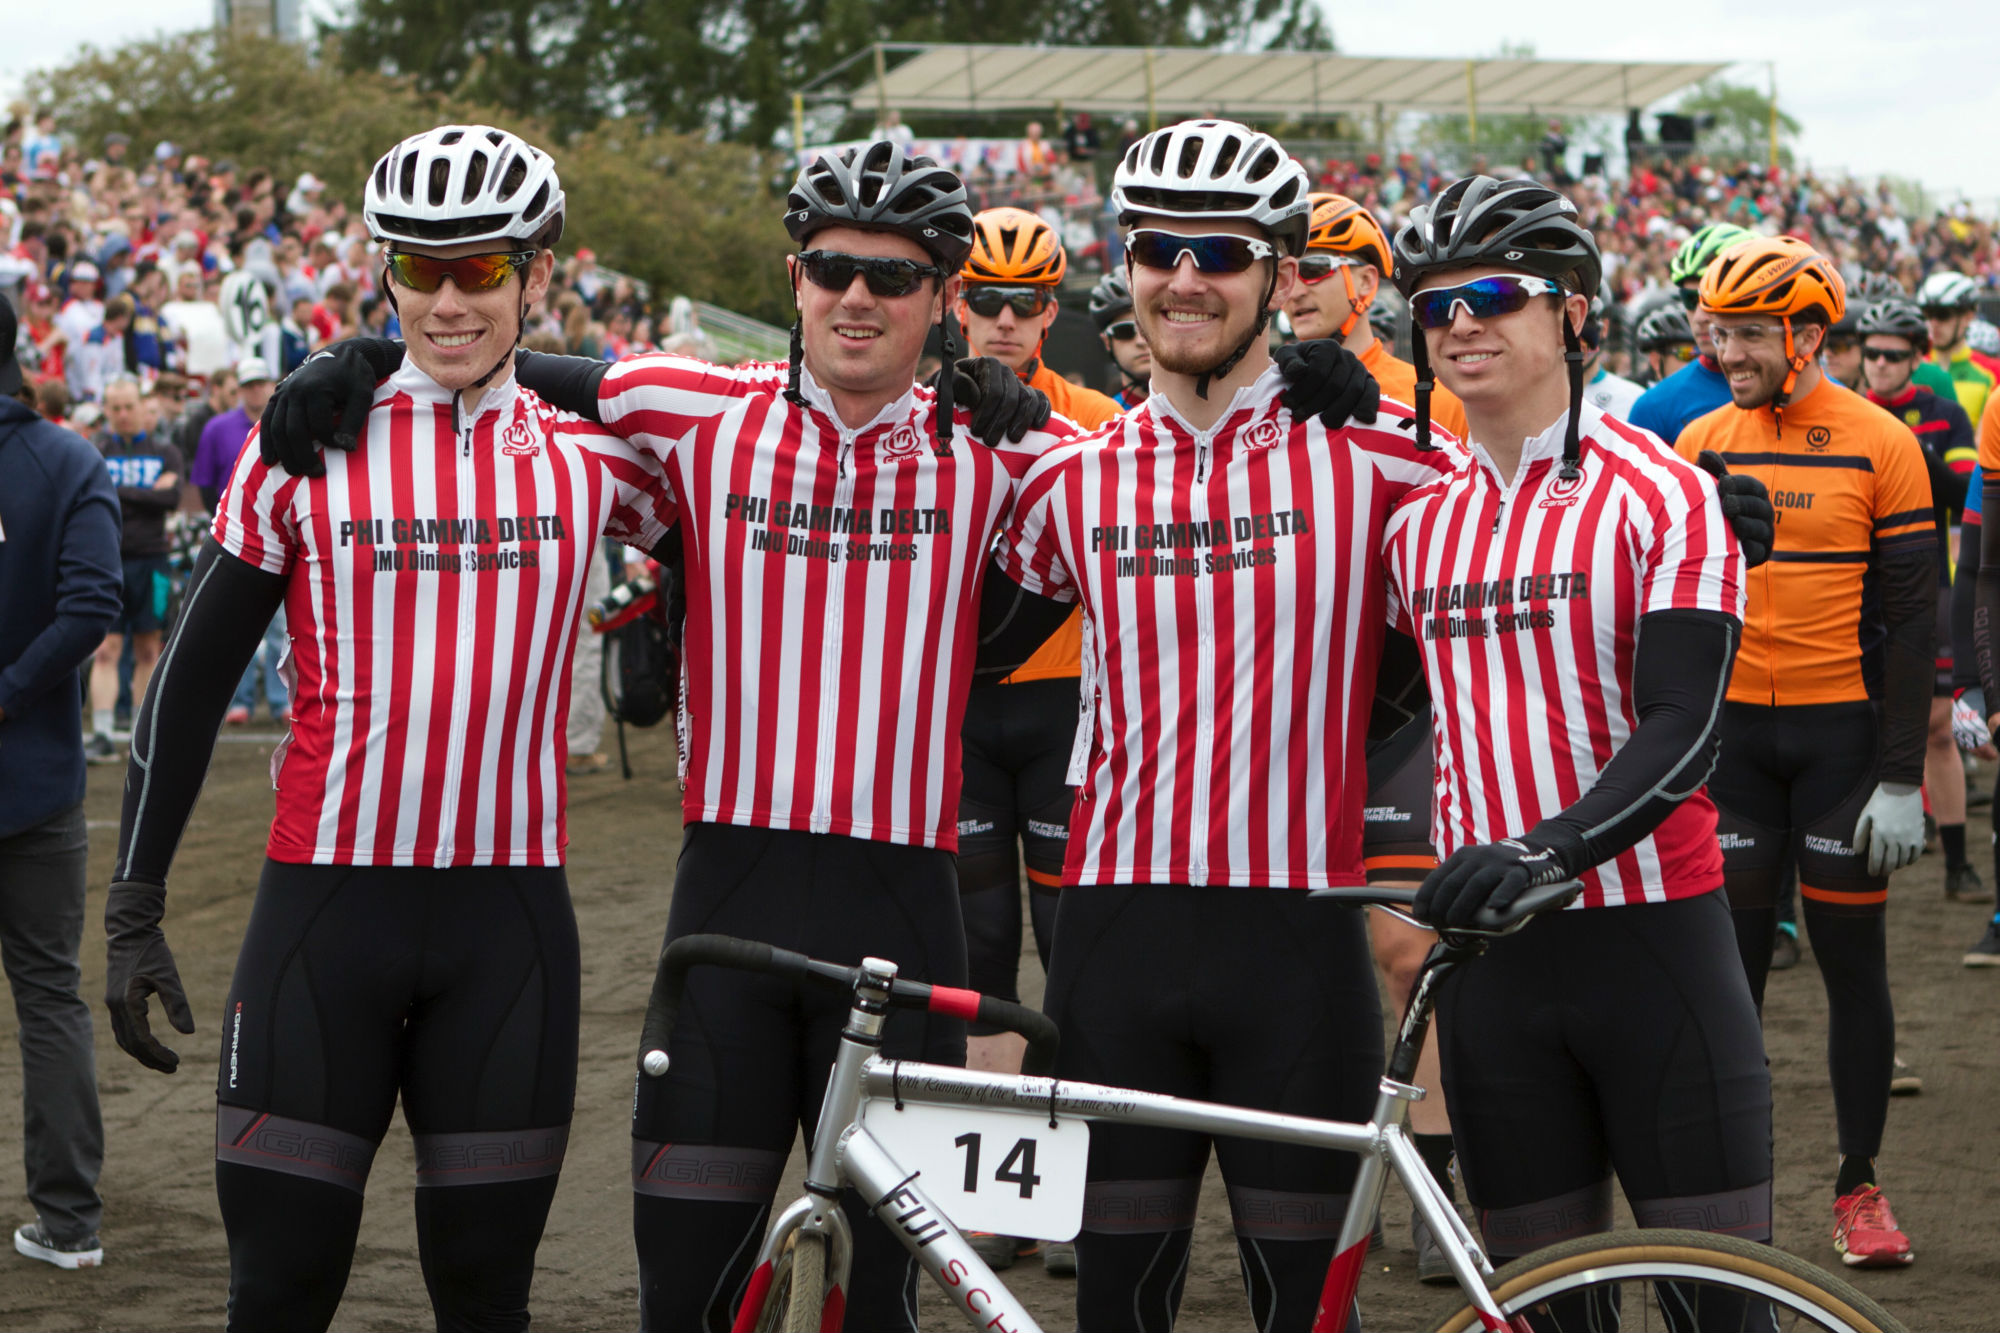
(1227, 555)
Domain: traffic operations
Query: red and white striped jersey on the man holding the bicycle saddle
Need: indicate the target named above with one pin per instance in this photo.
(1525, 605)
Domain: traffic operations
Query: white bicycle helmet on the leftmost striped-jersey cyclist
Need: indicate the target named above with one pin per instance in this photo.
(465, 183)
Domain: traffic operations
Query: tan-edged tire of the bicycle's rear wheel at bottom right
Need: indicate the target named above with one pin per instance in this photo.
(1689, 1256)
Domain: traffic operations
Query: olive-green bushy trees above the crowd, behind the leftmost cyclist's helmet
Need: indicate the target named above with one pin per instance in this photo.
(683, 213)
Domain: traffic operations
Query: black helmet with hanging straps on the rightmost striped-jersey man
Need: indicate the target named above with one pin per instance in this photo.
(1509, 225)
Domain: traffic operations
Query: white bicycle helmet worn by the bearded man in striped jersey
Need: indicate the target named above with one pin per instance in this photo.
(1215, 169)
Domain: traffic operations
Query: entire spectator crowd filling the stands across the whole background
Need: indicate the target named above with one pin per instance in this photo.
(171, 267)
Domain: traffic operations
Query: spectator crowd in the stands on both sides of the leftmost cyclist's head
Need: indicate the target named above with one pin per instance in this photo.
(169, 269)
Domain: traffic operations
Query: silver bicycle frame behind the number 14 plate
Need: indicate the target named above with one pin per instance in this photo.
(847, 1154)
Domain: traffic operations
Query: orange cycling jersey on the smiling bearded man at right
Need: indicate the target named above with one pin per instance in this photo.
(1849, 483)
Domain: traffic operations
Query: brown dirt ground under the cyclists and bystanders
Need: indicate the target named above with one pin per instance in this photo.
(167, 1262)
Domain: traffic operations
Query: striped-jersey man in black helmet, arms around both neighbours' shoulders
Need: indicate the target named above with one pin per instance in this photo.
(835, 541)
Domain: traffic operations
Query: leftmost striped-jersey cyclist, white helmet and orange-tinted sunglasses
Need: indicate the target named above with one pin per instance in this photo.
(413, 932)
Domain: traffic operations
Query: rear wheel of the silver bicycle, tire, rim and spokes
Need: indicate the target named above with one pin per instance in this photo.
(1679, 1282)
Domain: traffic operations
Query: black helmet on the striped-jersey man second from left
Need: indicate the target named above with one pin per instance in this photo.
(885, 189)
